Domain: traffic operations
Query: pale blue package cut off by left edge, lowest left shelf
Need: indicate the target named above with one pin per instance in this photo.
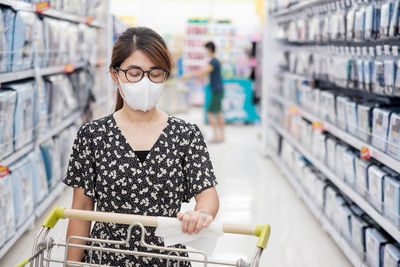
(7, 220)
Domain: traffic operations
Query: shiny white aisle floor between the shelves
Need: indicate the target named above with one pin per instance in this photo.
(251, 191)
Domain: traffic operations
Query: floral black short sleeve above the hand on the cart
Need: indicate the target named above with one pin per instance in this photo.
(198, 169)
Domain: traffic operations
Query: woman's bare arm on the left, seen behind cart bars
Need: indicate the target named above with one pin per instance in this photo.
(78, 227)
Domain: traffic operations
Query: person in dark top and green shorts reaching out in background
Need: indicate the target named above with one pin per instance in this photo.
(214, 113)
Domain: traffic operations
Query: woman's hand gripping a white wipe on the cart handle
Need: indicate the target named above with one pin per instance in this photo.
(194, 221)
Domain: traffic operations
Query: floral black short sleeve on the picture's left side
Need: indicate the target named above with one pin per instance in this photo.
(81, 166)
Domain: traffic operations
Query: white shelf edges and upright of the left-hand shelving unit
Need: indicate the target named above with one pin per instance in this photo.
(37, 73)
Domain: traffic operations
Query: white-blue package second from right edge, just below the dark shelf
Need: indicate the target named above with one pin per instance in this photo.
(380, 127)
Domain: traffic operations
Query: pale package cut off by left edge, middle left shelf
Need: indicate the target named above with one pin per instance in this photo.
(8, 100)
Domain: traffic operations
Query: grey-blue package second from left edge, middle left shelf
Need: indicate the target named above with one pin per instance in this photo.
(23, 116)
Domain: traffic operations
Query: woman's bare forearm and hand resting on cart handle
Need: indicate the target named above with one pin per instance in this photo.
(207, 205)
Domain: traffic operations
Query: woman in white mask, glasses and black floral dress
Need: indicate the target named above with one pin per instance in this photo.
(139, 160)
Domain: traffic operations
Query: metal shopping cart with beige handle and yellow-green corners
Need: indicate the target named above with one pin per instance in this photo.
(43, 245)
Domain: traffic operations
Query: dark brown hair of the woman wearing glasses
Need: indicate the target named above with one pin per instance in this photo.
(145, 40)
